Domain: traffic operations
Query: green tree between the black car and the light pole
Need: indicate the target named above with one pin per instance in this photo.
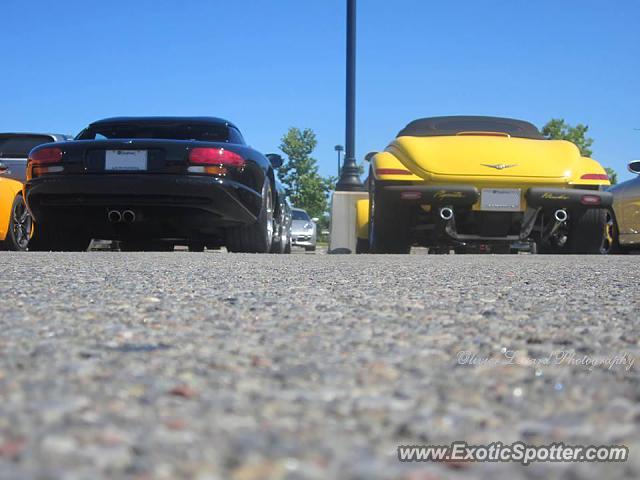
(305, 186)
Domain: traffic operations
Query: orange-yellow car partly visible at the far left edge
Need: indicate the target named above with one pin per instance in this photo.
(16, 225)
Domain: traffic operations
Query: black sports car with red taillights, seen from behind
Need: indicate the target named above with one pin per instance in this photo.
(154, 182)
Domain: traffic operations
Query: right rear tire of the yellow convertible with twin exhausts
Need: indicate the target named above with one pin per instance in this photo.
(587, 232)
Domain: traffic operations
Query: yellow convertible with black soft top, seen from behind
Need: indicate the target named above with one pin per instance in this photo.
(472, 184)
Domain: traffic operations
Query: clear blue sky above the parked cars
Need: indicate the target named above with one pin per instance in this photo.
(270, 65)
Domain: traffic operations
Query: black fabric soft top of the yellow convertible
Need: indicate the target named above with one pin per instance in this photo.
(453, 125)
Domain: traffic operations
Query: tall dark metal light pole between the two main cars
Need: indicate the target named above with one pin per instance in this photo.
(349, 177)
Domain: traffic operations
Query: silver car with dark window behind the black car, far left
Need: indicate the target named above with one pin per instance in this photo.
(15, 148)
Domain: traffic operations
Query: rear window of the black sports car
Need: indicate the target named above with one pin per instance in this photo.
(202, 133)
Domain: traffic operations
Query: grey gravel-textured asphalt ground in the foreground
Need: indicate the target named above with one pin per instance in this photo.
(246, 367)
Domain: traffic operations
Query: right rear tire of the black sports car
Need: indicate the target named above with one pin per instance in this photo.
(257, 237)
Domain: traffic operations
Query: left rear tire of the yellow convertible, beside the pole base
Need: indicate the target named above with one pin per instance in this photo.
(388, 224)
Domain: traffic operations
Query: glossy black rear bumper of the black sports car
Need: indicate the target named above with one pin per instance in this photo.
(219, 200)
